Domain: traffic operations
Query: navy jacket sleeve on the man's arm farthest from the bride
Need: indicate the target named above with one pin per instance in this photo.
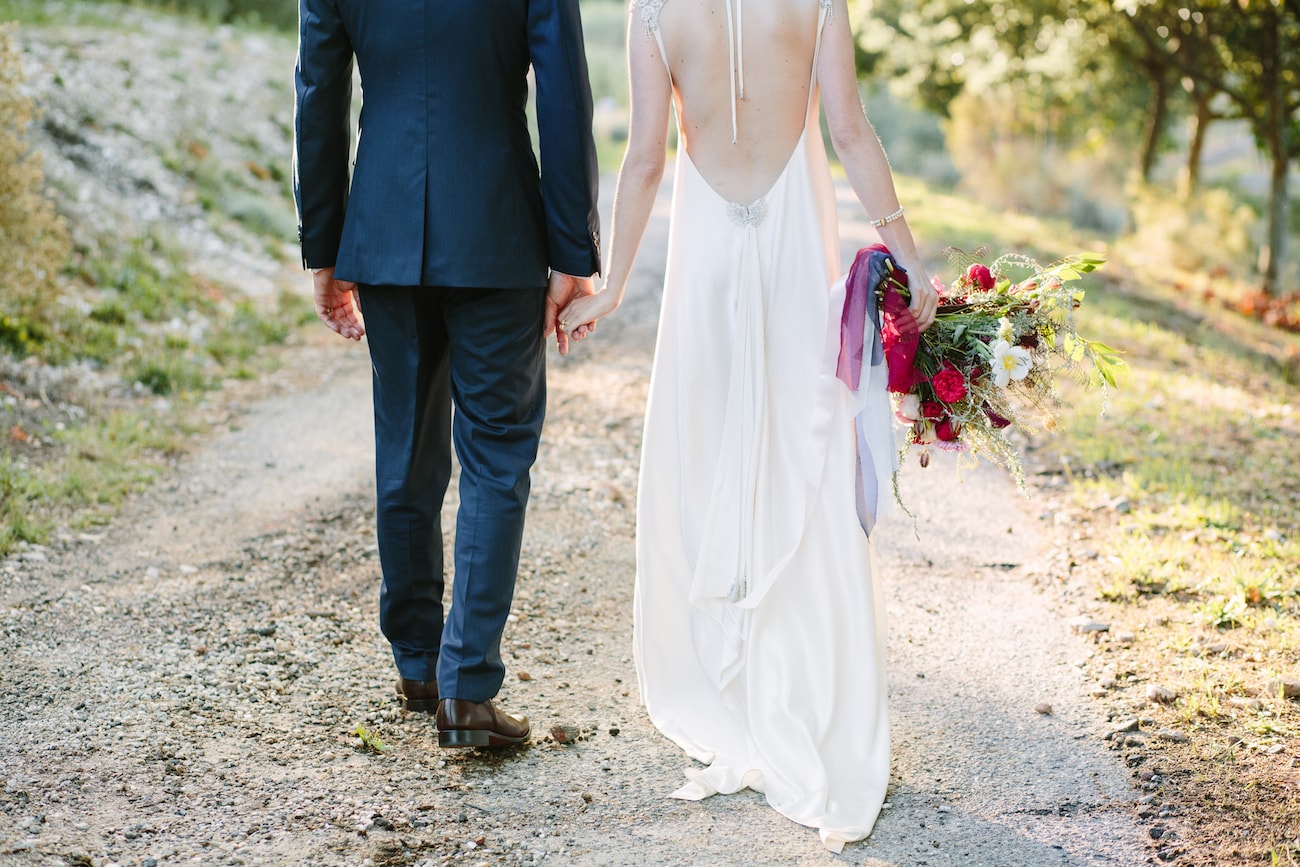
(322, 138)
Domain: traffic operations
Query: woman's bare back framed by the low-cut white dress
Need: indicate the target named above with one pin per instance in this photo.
(769, 47)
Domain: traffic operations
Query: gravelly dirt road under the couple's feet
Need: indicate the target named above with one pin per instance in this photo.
(188, 686)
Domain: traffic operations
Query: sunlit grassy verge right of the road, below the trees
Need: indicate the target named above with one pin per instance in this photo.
(1189, 493)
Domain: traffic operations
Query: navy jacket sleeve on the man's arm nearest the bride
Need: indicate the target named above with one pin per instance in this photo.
(570, 174)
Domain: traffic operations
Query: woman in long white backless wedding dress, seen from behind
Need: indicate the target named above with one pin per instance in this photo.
(759, 630)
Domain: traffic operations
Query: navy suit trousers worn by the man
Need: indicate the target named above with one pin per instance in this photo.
(482, 353)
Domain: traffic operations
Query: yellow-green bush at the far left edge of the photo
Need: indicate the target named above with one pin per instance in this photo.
(33, 236)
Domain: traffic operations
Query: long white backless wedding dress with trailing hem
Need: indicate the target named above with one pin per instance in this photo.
(760, 635)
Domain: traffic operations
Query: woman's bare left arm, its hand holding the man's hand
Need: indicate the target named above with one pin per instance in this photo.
(639, 176)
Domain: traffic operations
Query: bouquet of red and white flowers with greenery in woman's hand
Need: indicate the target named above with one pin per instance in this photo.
(1004, 332)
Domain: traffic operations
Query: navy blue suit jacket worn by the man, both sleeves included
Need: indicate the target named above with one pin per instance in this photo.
(445, 190)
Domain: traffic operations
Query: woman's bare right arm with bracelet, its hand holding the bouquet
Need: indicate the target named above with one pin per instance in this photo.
(865, 159)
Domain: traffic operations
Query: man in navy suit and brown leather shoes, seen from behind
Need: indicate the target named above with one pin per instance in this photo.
(461, 253)
